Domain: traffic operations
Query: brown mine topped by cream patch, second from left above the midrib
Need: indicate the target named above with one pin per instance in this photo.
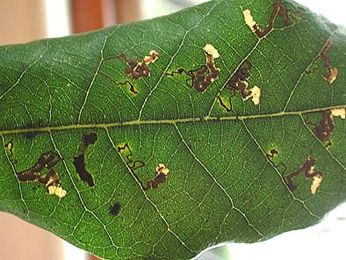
(202, 77)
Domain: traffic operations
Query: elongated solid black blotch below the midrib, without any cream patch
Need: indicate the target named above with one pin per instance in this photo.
(79, 160)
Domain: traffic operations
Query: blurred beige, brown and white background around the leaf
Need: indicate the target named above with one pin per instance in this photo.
(27, 20)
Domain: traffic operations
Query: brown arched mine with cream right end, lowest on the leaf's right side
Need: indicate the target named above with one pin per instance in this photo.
(308, 169)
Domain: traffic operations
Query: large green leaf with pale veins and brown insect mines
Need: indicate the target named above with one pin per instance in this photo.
(62, 111)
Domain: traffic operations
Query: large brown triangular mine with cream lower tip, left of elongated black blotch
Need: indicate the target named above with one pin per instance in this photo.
(50, 177)
